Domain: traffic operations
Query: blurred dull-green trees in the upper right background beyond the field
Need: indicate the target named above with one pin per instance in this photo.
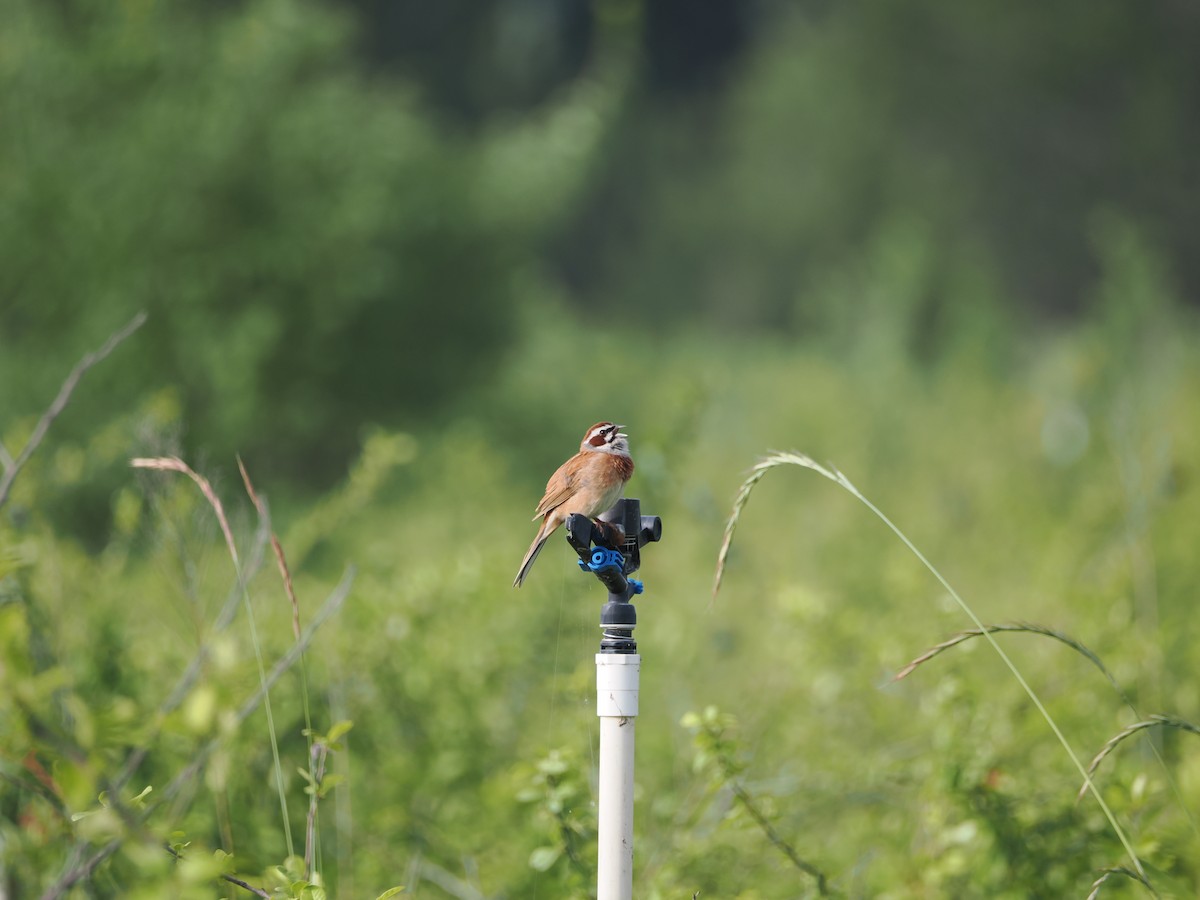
(997, 134)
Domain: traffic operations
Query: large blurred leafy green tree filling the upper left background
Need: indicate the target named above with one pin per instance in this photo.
(315, 254)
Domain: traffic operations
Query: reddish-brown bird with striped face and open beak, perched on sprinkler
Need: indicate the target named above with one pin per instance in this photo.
(590, 483)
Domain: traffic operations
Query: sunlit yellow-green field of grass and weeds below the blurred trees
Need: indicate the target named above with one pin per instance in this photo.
(1052, 481)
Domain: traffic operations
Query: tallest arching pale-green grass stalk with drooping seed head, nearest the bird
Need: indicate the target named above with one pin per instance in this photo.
(796, 459)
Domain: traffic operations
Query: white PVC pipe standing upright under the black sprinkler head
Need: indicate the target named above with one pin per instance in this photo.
(617, 686)
